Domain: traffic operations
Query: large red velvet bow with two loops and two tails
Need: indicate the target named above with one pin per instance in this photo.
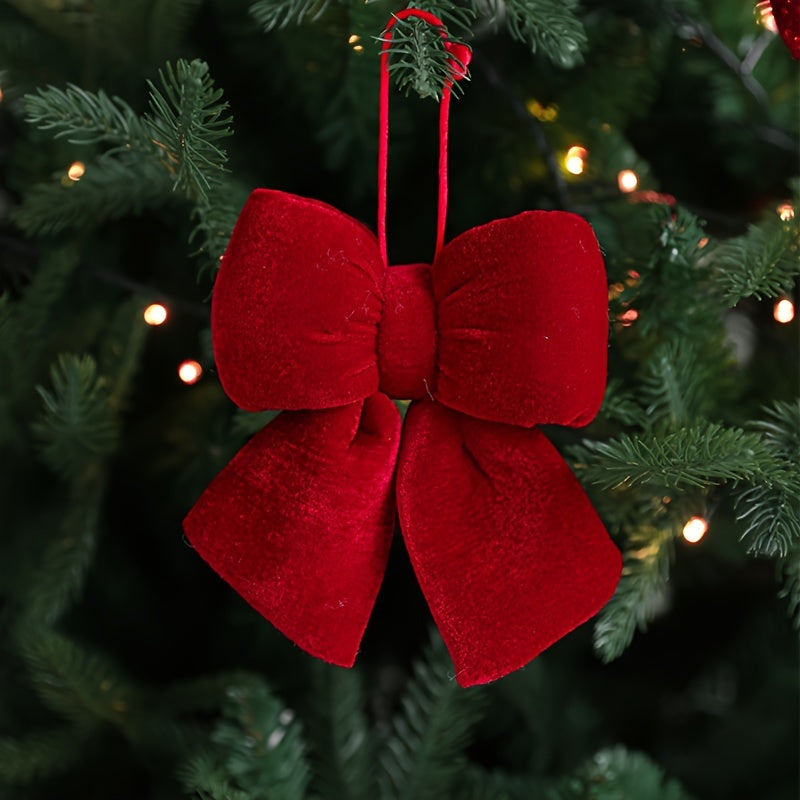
(506, 330)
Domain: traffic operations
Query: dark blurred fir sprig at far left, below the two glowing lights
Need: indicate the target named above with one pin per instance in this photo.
(77, 425)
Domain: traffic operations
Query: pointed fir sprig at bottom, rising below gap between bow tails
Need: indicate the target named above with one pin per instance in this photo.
(423, 754)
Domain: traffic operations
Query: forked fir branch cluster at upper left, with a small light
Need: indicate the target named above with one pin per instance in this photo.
(175, 147)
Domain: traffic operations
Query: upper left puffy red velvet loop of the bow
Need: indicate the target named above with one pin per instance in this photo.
(296, 306)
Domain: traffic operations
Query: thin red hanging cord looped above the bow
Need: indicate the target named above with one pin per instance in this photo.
(463, 54)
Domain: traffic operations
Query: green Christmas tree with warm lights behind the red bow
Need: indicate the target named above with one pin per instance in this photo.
(130, 137)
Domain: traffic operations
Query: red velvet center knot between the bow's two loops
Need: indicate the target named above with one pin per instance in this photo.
(407, 333)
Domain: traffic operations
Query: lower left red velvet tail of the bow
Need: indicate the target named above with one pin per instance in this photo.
(301, 520)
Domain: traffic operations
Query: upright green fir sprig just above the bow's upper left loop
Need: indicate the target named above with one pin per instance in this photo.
(188, 118)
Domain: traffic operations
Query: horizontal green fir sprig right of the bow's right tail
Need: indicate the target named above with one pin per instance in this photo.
(704, 454)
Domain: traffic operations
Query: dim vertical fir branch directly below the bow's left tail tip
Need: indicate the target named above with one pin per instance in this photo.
(341, 743)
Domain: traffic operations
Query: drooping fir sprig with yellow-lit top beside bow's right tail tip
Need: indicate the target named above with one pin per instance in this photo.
(639, 595)
